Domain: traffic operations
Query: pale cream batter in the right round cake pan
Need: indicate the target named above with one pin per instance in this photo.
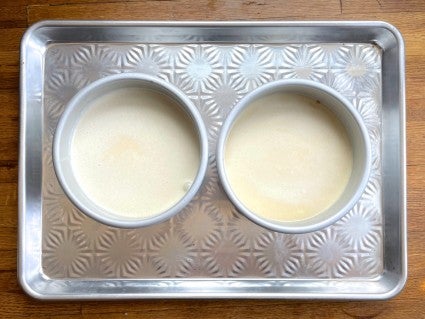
(288, 157)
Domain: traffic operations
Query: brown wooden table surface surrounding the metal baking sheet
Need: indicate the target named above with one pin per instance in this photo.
(17, 15)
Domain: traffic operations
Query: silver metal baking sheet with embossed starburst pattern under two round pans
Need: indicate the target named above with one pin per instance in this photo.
(209, 250)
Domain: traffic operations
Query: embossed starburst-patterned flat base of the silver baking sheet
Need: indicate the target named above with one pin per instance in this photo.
(209, 238)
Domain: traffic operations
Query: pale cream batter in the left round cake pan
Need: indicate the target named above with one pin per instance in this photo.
(135, 152)
